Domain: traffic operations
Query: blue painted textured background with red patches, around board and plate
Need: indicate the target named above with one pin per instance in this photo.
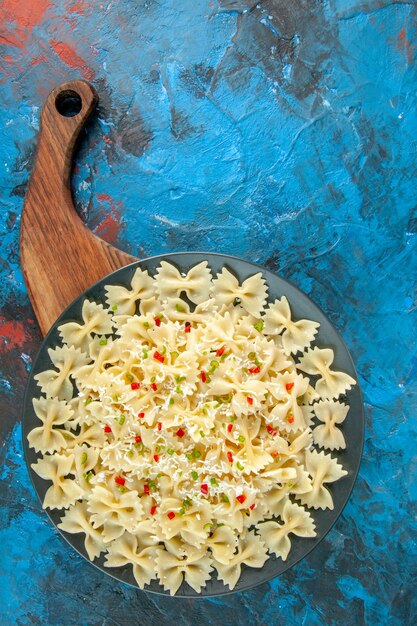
(282, 132)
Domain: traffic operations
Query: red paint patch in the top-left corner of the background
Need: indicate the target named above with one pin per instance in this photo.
(18, 18)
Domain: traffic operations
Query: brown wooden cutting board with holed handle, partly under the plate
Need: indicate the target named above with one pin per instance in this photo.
(60, 256)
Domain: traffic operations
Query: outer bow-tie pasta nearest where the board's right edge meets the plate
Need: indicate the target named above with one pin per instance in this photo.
(123, 301)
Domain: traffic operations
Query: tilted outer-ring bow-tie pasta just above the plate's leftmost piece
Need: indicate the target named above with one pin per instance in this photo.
(57, 383)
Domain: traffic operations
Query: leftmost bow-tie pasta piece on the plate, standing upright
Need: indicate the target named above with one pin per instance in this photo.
(51, 412)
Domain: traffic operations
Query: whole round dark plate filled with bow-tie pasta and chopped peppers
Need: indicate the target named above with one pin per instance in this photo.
(193, 424)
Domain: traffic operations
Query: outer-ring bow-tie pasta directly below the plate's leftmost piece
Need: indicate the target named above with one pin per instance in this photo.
(64, 491)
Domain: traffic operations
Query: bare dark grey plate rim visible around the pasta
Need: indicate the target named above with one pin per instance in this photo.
(353, 427)
